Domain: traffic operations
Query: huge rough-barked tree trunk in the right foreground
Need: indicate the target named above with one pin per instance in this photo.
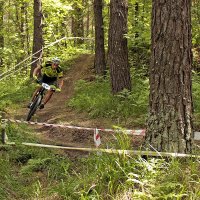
(169, 125)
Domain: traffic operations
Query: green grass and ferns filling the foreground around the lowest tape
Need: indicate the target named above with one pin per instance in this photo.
(41, 173)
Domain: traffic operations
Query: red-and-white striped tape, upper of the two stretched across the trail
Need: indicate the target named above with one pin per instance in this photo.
(128, 132)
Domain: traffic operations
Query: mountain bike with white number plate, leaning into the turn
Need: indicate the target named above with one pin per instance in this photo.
(37, 100)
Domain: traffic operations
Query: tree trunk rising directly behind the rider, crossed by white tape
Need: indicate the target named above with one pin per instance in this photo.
(37, 34)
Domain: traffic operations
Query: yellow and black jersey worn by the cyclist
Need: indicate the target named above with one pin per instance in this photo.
(50, 72)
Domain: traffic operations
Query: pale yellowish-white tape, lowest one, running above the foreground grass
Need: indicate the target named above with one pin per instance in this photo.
(112, 151)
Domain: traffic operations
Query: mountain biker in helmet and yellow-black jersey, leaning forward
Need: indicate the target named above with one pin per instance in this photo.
(52, 74)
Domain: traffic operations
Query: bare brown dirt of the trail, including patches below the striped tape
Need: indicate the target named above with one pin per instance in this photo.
(56, 111)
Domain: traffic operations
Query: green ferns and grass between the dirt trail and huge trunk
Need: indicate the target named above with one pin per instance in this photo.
(96, 99)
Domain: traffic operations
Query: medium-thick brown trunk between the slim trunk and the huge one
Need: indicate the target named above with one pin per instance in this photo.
(117, 46)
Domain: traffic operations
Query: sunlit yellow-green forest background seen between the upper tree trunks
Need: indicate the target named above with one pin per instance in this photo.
(61, 18)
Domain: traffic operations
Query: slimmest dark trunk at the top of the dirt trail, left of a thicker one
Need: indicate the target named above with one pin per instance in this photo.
(99, 61)
